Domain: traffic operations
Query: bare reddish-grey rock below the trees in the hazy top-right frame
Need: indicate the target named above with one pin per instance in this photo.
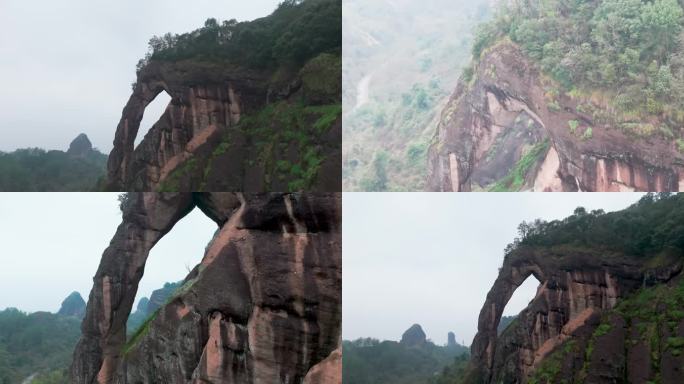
(502, 126)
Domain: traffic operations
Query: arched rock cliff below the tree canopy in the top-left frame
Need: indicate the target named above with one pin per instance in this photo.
(199, 143)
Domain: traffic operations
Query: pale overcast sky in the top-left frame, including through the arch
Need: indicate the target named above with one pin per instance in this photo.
(66, 67)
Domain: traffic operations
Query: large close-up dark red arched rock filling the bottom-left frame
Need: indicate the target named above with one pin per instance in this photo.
(263, 306)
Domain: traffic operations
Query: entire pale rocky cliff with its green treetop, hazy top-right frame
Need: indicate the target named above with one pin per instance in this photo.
(567, 96)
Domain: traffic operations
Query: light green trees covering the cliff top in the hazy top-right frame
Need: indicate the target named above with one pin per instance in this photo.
(622, 59)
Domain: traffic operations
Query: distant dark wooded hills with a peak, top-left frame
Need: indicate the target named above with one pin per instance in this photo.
(39, 170)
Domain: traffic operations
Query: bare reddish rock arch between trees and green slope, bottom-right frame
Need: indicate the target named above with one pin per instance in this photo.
(576, 286)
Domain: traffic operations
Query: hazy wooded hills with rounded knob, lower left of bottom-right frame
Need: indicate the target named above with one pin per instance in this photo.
(414, 360)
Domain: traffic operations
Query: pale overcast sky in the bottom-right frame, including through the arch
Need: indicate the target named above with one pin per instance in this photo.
(431, 258)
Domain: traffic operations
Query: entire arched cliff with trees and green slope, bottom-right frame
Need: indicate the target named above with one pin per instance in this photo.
(608, 308)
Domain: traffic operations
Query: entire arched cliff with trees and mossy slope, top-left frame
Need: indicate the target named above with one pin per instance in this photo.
(255, 106)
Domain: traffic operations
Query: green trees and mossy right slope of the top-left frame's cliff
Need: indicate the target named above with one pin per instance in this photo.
(286, 136)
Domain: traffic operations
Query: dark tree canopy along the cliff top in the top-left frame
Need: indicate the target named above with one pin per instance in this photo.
(297, 31)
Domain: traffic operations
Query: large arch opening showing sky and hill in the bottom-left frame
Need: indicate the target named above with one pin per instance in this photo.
(168, 263)
